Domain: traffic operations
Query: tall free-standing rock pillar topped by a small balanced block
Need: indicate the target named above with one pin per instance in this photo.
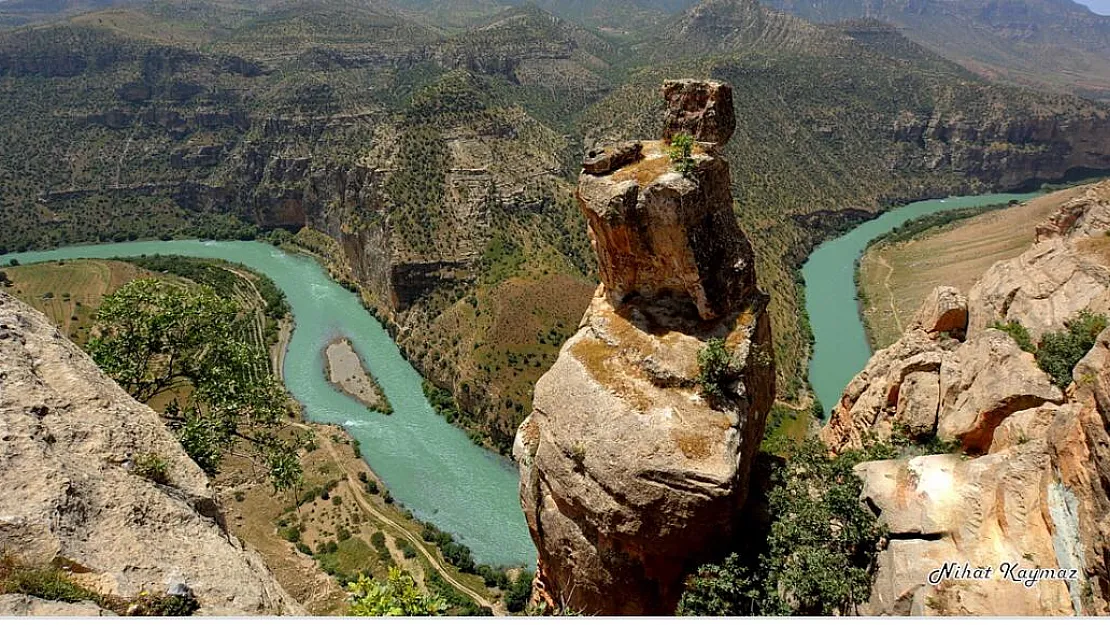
(631, 473)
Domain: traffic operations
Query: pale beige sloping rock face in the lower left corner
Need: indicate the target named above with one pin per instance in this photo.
(70, 442)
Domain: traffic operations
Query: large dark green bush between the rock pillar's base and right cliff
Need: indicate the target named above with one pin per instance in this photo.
(820, 553)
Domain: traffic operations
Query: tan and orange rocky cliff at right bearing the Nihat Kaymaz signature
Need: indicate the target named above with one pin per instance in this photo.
(1031, 486)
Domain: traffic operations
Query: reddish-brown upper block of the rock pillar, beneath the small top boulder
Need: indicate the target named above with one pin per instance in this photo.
(660, 234)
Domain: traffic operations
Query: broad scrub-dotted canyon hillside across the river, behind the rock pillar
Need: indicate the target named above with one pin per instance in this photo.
(439, 162)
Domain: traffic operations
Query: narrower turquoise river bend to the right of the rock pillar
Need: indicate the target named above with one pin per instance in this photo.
(841, 348)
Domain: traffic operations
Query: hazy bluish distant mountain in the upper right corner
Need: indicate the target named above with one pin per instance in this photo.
(1058, 44)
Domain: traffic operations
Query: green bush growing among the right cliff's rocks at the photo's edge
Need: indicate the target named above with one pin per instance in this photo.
(1059, 352)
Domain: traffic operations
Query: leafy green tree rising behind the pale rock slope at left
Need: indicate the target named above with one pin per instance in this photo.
(153, 337)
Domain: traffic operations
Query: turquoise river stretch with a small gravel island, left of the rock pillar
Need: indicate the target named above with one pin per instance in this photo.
(429, 466)
